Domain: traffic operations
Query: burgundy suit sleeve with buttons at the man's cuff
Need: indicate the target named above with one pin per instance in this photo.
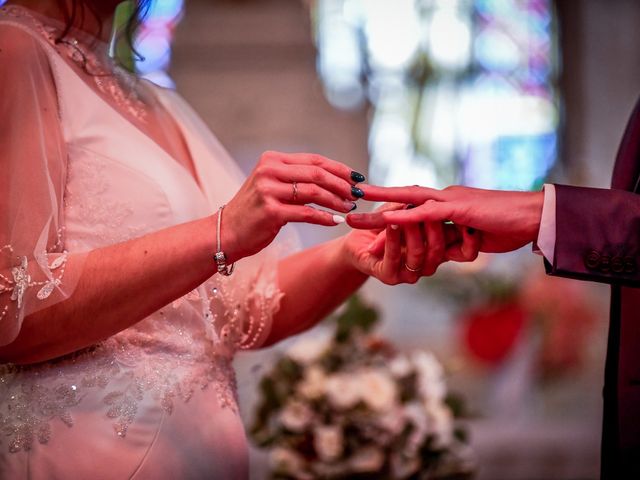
(597, 235)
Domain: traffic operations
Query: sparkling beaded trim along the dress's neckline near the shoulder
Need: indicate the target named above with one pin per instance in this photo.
(108, 77)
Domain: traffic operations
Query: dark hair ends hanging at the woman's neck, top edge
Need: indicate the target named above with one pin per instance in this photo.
(79, 8)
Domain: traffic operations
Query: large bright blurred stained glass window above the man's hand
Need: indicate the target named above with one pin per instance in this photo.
(461, 91)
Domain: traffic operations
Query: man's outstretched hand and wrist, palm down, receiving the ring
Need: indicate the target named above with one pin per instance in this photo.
(507, 220)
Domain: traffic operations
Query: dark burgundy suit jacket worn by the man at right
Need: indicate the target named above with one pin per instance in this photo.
(598, 239)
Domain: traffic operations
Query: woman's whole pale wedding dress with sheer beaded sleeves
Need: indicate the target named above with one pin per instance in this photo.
(156, 401)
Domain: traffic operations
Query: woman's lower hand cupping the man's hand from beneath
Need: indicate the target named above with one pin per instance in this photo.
(404, 254)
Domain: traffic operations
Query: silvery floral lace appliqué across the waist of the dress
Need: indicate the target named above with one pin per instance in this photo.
(36, 396)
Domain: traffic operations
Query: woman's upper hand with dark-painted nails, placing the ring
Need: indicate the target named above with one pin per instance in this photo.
(277, 192)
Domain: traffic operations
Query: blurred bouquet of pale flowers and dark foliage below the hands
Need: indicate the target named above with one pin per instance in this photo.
(348, 406)
